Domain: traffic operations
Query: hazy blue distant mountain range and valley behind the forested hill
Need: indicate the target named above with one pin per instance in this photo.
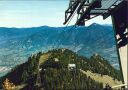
(17, 44)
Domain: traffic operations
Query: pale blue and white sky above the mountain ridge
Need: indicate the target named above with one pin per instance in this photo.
(35, 13)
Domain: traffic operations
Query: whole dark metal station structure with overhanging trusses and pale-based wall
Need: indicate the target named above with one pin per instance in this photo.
(118, 10)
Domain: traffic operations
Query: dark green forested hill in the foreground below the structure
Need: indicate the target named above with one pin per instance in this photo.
(60, 69)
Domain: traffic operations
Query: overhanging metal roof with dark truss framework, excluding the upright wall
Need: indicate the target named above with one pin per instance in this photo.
(88, 9)
